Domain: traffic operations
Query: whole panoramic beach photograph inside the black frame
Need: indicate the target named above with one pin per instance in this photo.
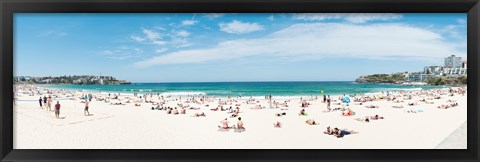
(240, 81)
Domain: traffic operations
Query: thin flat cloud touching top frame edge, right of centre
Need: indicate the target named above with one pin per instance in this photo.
(349, 17)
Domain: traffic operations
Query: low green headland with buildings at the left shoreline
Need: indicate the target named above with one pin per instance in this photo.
(75, 79)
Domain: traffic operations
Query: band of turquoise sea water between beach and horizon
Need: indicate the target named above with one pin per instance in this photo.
(245, 88)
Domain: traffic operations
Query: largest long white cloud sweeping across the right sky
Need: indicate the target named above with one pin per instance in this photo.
(319, 40)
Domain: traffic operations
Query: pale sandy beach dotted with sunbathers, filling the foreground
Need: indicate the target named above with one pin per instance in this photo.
(421, 126)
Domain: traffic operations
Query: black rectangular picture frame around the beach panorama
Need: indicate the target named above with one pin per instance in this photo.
(9, 7)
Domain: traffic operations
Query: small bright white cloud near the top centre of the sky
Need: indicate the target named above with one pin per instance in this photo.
(238, 27)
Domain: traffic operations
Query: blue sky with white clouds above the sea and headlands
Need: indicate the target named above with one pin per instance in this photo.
(234, 47)
